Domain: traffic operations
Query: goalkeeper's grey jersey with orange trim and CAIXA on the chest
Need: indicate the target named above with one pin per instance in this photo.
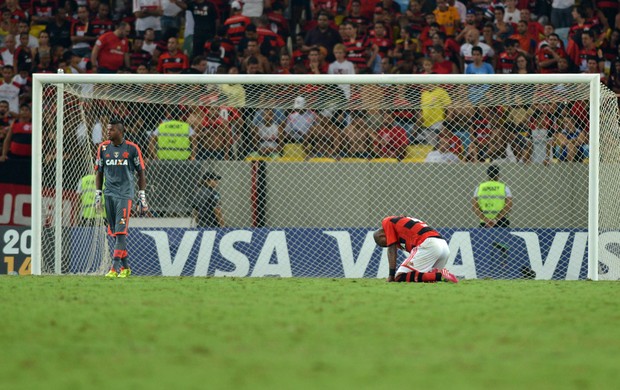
(118, 163)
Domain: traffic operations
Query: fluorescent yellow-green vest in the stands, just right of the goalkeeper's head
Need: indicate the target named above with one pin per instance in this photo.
(173, 141)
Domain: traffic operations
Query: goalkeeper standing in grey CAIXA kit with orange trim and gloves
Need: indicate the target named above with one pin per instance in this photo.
(117, 162)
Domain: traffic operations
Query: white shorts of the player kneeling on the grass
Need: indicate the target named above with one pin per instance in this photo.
(432, 253)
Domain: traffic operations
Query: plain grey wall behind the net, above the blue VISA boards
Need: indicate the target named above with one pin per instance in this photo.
(332, 185)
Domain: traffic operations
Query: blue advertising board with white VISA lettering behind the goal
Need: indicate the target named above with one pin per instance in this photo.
(352, 253)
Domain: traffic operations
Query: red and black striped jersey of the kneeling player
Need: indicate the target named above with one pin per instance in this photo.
(406, 232)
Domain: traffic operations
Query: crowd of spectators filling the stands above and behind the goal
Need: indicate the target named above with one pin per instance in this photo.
(321, 37)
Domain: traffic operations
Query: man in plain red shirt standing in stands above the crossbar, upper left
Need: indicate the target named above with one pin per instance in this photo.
(111, 51)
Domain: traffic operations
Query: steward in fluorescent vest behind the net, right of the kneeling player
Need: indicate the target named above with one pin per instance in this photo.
(492, 200)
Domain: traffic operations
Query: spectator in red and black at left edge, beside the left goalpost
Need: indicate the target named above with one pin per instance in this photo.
(18, 141)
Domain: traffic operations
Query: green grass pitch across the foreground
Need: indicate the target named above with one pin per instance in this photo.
(149, 333)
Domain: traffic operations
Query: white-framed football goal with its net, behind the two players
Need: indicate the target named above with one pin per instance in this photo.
(309, 166)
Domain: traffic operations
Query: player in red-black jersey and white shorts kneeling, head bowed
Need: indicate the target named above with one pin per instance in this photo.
(428, 251)
